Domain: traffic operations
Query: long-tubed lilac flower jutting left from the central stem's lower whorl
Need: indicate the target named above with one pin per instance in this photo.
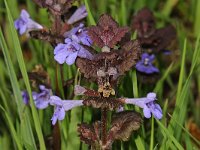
(61, 106)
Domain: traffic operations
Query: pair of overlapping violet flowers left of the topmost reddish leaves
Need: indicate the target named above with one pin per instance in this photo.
(73, 47)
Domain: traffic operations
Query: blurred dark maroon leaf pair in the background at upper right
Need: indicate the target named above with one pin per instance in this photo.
(148, 35)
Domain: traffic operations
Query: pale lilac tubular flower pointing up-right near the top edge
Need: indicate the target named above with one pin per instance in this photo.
(79, 14)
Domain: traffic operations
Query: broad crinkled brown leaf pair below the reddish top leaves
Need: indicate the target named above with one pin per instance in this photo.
(122, 60)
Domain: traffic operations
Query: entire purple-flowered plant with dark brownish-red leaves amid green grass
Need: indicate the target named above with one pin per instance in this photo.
(74, 43)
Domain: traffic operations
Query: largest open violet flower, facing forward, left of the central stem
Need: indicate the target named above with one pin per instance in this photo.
(69, 51)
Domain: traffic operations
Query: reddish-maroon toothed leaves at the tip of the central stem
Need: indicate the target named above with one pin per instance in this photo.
(107, 32)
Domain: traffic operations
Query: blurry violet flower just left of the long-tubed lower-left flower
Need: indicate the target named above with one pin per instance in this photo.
(42, 99)
